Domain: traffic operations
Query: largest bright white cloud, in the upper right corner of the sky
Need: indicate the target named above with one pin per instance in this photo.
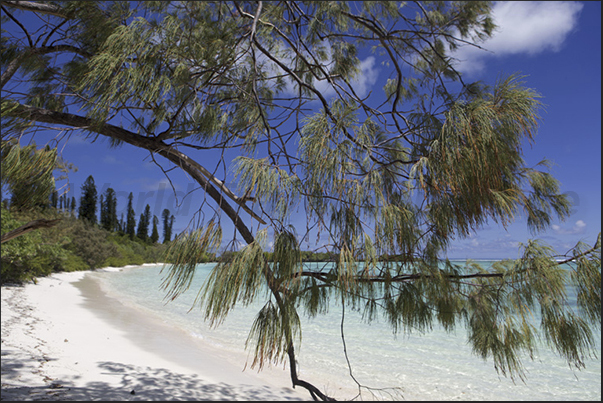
(524, 27)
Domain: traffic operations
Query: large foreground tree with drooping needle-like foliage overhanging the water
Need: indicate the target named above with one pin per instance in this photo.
(395, 172)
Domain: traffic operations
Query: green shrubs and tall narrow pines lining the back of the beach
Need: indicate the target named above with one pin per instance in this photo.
(60, 240)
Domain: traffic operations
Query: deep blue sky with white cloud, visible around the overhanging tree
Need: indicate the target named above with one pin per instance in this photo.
(556, 45)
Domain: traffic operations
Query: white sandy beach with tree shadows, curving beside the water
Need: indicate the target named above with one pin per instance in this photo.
(58, 344)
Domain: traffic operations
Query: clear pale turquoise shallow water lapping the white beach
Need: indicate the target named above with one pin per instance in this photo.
(431, 366)
